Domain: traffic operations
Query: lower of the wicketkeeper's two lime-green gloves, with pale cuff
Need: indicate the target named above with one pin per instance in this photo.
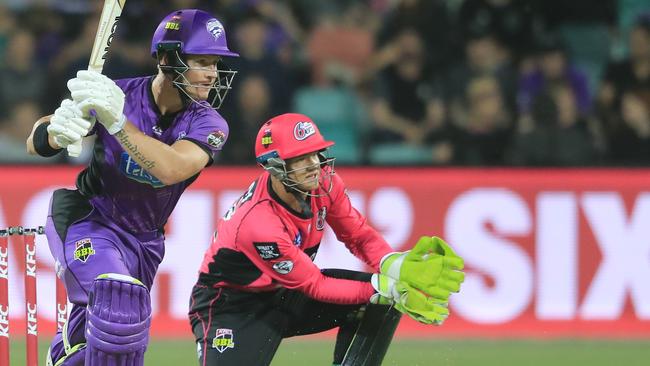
(408, 300)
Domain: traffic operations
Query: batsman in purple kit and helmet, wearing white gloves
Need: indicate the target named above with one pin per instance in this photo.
(154, 136)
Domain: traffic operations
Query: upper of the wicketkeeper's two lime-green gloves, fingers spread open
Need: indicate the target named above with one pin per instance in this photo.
(431, 266)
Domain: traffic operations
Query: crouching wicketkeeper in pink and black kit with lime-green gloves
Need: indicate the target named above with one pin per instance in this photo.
(258, 283)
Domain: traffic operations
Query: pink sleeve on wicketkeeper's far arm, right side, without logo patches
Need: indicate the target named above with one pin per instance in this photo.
(353, 229)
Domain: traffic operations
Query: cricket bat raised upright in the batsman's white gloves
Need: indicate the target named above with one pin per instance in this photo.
(103, 39)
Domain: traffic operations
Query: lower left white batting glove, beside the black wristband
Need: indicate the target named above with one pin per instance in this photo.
(67, 125)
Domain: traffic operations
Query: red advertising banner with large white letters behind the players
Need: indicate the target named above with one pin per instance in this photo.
(549, 253)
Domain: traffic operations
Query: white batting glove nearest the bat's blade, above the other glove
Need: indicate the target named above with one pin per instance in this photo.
(93, 91)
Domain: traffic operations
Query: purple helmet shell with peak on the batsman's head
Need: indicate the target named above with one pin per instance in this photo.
(196, 31)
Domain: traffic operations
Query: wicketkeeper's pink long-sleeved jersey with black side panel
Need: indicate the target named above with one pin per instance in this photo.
(262, 244)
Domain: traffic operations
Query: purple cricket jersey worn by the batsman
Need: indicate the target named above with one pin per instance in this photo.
(118, 187)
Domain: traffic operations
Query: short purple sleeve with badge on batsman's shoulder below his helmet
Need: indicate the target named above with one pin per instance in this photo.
(209, 131)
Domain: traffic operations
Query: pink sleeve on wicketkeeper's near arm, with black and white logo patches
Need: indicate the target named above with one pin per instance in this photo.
(271, 249)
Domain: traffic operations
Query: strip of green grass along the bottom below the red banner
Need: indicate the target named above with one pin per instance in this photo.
(423, 352)
